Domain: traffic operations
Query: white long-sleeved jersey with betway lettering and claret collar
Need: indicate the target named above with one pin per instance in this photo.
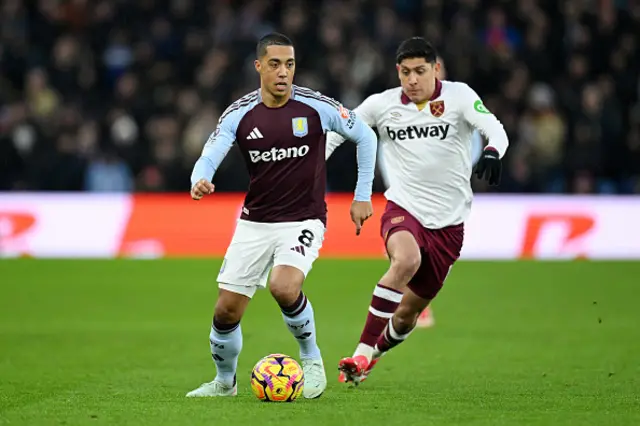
(426, 154)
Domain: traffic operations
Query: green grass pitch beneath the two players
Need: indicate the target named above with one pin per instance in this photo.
(121, 342)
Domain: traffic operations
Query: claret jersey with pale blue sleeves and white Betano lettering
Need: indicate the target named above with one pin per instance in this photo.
(284, 151)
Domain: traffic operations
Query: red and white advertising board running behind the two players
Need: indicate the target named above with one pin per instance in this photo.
(500, 227)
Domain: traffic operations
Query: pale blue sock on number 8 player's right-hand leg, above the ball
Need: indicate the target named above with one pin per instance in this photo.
(301, 322)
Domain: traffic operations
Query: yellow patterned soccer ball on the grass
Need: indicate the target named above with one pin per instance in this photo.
(277, 378)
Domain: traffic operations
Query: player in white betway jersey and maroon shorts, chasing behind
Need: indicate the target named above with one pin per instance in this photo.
(425, 128)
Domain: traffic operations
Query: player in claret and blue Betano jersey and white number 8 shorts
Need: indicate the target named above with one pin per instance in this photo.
(281, 131)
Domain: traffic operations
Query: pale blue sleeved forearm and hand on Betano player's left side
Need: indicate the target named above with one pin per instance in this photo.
(214, 151)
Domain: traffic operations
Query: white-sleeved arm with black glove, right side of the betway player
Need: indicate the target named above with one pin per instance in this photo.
(489, 166)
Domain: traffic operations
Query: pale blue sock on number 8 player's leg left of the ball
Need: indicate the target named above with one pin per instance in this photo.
(226, 344)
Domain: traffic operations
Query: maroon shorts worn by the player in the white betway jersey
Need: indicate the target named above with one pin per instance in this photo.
(439, 248)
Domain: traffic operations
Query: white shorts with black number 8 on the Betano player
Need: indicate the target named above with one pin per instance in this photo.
(256, 247)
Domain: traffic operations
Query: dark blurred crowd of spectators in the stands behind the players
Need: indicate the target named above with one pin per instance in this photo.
(120, 95)
